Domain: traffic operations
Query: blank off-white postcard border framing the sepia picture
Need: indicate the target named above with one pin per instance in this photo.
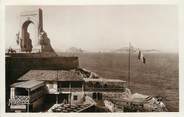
(180, 4)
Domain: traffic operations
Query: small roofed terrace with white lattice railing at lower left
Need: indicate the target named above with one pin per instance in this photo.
(25, 93)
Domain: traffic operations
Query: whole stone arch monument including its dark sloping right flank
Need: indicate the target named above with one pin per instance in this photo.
(26, 45)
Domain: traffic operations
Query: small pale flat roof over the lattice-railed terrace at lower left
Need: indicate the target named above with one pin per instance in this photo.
(31, 84)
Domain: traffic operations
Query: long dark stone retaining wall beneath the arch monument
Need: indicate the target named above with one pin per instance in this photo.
(17, 66)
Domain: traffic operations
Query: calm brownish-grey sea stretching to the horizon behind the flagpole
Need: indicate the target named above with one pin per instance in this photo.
(158, 77)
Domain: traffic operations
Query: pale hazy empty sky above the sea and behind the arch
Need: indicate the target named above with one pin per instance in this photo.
(101, 28)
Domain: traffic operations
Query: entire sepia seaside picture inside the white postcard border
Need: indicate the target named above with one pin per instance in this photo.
(91, 58)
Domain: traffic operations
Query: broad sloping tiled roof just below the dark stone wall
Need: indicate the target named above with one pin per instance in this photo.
(52, 75)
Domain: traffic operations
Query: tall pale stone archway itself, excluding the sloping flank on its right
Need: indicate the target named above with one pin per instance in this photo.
(27, 18)
